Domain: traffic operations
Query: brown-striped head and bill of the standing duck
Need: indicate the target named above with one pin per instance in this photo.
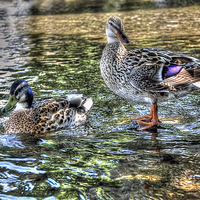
(115, 31)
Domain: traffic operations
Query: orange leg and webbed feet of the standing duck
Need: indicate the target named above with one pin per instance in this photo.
(145, 122)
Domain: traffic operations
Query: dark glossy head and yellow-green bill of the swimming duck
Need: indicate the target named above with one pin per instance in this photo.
(20, 94)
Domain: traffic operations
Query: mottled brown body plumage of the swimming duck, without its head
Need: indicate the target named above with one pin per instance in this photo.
(46, 115)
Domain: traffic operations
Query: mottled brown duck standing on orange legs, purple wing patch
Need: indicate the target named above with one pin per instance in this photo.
(146, 75)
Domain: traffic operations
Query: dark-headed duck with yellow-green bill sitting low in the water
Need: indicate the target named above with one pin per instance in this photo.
(43, 115)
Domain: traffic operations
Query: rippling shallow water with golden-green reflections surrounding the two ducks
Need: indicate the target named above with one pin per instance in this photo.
(107, 158)
